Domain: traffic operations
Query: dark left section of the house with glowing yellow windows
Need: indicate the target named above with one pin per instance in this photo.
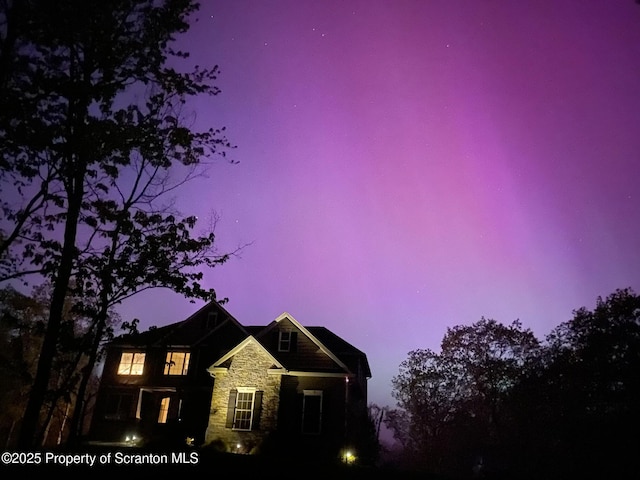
(155, 385)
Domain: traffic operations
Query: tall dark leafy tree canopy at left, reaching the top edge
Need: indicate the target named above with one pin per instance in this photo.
(93, 138)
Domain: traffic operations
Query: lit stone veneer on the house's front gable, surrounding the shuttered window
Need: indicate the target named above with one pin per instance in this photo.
(248, 368)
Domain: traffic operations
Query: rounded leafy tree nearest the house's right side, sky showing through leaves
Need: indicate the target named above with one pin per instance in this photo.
(453, 401)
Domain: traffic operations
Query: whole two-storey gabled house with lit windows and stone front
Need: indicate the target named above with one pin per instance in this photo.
(209, 380)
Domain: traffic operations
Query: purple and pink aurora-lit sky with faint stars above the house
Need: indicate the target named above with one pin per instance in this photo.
(408, 166)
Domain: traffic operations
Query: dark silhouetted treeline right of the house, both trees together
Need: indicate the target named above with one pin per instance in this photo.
(497, 402)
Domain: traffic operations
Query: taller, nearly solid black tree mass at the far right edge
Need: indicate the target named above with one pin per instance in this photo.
(578, 409)
